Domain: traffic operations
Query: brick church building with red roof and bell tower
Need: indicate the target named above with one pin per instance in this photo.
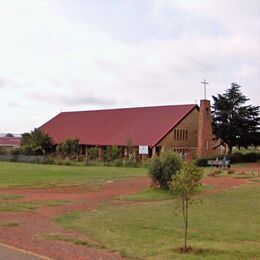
(185, 129)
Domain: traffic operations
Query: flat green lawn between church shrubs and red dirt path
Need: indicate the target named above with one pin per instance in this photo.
(40, 176)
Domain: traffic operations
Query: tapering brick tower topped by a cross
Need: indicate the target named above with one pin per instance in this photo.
(205, 130)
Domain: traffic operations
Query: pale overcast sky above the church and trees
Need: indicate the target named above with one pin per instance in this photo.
(89, 54)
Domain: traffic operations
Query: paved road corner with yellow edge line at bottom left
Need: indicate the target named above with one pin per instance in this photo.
(11, 253)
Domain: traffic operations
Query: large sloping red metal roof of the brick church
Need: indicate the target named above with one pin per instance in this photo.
(141, 125)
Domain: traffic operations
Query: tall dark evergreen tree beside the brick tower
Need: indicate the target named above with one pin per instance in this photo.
(235, 123)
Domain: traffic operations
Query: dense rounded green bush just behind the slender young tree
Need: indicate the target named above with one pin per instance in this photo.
(163, 168)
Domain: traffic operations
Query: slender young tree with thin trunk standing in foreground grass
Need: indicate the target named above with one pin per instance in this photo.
(185, 183)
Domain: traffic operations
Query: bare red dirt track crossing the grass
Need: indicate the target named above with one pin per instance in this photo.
(32, 225)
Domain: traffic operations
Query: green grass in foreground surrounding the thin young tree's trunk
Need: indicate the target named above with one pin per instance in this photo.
(225, 226)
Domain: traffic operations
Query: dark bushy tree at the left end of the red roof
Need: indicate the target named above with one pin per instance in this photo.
(36, 142)
